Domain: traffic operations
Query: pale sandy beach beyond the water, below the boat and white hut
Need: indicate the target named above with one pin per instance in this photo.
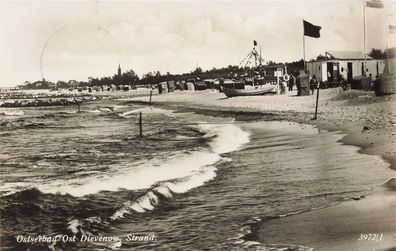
(368, 120)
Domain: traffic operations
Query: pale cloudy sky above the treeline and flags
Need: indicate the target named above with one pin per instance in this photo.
(63, 40)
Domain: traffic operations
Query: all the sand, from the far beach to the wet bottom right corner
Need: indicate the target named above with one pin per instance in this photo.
(368, 122)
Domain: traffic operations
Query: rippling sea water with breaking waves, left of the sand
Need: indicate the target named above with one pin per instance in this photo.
(193, 181)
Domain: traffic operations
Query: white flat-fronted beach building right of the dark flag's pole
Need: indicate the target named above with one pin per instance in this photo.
(349, 64)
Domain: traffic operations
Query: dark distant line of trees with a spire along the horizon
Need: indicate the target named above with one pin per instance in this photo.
(125, 80)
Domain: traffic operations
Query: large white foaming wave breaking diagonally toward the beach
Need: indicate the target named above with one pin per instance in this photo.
(178, 173)
